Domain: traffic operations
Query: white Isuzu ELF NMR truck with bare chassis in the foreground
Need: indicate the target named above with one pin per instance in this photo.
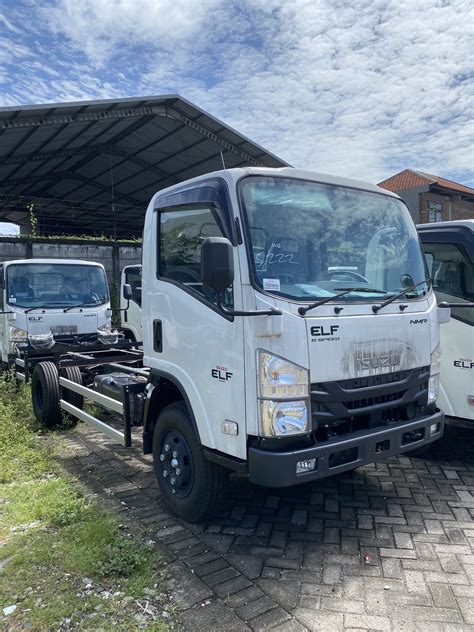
(290, 332)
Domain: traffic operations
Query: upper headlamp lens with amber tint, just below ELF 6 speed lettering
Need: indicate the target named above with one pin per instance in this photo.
(279, 378)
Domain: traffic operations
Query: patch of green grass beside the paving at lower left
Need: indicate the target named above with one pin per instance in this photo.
(64, 562)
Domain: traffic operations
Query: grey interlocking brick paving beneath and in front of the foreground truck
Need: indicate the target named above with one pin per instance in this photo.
(387, 547)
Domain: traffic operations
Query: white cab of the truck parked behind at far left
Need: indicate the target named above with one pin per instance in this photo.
(47, 303)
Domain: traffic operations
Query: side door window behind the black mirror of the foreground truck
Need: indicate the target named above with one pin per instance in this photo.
(182, 232)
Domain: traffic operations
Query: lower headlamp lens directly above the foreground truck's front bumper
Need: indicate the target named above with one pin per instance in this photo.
(284, 418)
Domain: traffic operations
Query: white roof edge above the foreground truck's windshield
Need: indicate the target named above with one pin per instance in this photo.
(232, 176)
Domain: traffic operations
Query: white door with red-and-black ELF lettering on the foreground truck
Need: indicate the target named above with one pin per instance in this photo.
(192, 340)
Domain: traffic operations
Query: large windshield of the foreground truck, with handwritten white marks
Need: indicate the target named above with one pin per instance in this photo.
(308, 240)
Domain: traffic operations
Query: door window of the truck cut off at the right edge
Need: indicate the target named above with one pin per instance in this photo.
(452, 272)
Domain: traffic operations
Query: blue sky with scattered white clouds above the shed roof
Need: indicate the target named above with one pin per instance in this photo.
(361, 88)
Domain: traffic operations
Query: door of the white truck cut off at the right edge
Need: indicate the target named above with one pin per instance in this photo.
(452, 271)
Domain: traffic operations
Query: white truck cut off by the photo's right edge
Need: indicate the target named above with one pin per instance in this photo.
(449, 251)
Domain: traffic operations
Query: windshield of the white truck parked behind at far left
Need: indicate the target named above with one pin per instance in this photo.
(55, 285)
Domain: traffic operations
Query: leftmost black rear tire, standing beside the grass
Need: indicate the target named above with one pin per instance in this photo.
(45, 394)
